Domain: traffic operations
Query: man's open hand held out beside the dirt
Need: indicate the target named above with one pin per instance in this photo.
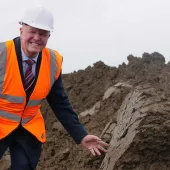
(94, 144)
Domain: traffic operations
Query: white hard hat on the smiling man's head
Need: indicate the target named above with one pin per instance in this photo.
(38, 17)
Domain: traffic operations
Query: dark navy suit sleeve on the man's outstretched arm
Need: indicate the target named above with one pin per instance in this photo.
(58, 101)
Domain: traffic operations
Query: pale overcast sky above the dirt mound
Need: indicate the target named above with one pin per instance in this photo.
(87, 31)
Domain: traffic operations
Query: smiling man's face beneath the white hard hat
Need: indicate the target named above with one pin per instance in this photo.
(33, 40)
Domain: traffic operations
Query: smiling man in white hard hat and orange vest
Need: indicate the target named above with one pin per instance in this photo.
(29, 73)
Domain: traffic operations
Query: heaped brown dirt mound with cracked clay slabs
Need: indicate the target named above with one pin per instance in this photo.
(128, 107)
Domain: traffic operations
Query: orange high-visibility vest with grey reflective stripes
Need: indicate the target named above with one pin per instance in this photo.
(14, 109)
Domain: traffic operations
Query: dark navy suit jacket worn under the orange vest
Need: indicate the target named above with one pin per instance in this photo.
(57, 99)
